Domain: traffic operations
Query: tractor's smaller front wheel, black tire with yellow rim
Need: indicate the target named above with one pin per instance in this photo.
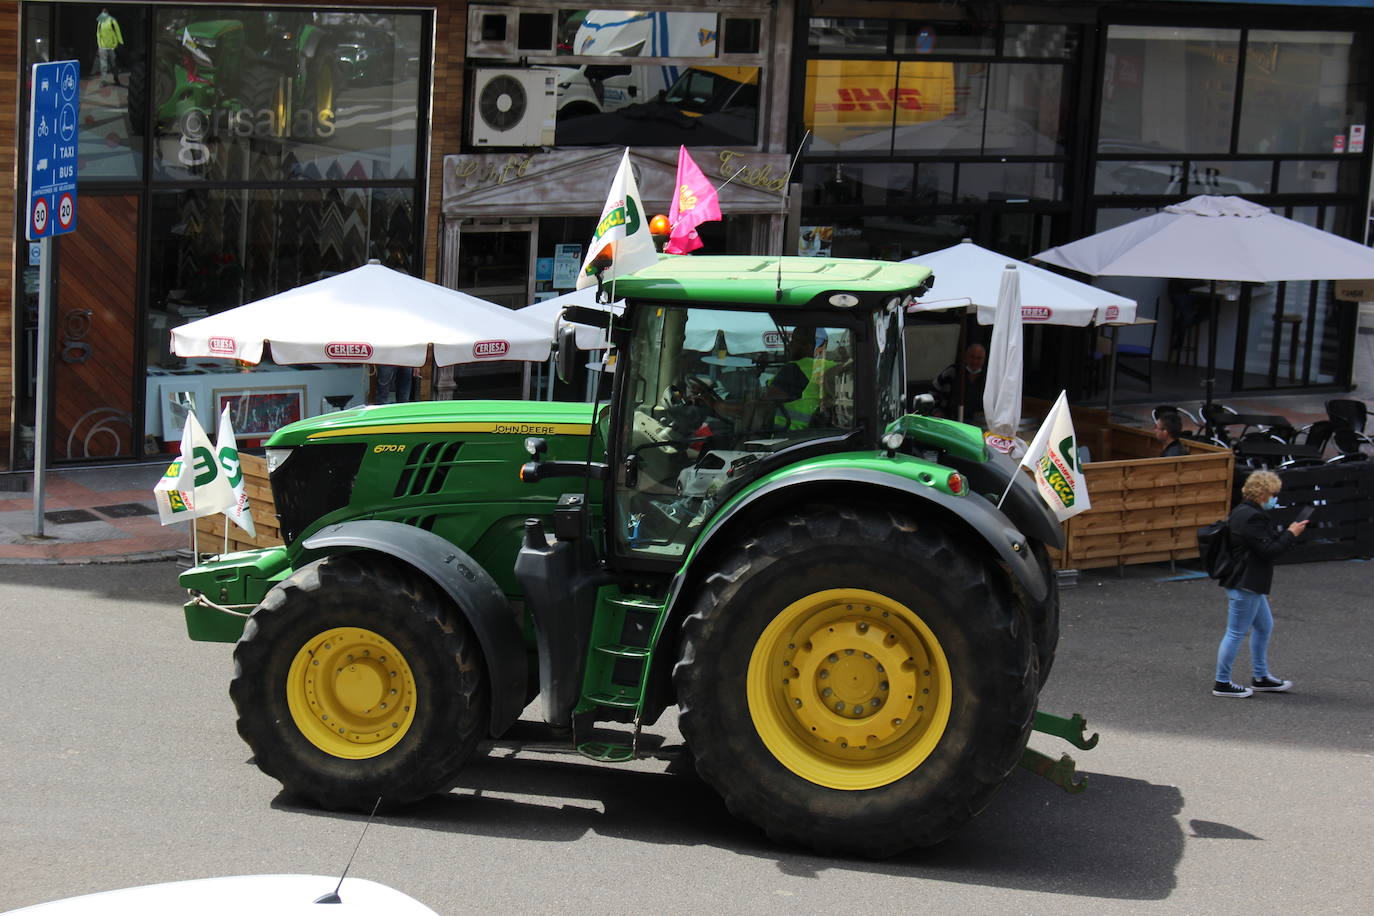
(357, 680)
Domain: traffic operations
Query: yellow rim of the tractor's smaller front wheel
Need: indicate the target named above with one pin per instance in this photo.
(351, 693)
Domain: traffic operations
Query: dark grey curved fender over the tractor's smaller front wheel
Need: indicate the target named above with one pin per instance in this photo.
(476, 594)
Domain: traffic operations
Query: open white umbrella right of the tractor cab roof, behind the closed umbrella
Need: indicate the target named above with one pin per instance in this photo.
(973, 273)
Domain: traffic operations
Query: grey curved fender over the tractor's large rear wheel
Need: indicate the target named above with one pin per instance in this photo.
(978, 514)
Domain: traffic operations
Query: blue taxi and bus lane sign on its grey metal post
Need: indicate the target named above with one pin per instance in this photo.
(54, 102)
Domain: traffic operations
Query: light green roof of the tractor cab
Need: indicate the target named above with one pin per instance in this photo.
(756, 281)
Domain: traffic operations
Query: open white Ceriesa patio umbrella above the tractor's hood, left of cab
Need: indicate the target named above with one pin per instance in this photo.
(368, 315)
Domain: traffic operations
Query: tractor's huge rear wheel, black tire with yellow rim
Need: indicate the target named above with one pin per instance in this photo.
(833, 604)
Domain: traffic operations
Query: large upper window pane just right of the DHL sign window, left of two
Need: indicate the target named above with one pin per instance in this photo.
(1169, 90)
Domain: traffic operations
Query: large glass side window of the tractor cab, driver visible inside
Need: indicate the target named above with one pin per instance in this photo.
(712, 392)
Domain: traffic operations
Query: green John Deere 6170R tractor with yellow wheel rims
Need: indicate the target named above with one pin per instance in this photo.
(754, 531)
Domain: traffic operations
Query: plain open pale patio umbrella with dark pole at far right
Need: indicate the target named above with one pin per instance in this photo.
(1217, 238)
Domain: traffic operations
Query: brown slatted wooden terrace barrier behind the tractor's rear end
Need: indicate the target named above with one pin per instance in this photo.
(1145, 509)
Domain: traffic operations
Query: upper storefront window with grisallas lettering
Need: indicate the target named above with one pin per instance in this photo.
(273, 95)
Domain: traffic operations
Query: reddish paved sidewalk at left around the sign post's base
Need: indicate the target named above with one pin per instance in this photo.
(91, 516)
